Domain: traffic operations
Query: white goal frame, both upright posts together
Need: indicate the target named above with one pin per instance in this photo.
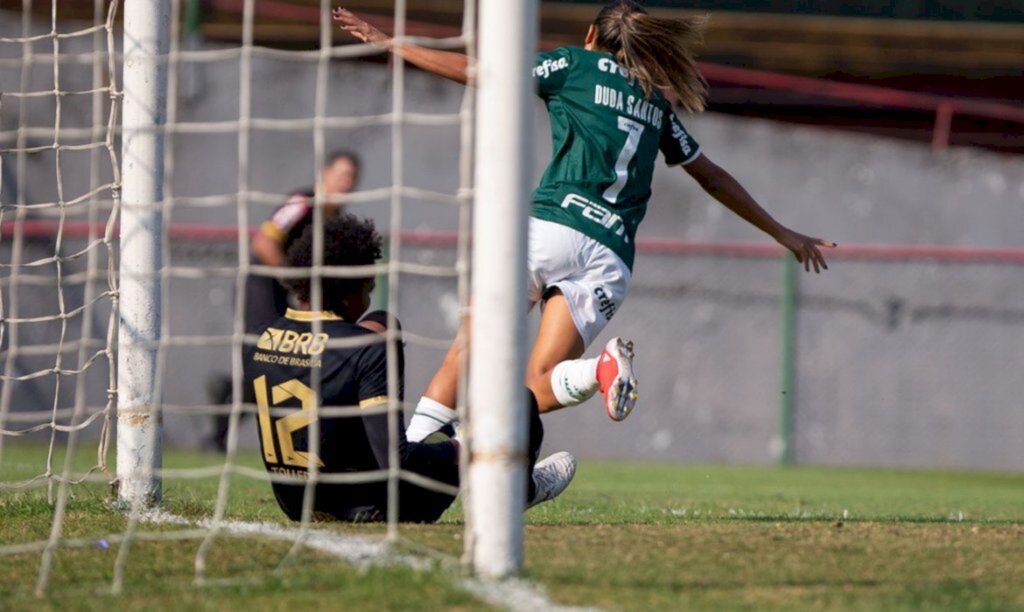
(499, 426)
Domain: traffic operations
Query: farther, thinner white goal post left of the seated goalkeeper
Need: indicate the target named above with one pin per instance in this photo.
(147, 25)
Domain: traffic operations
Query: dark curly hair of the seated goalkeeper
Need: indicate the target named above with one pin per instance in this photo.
(349, 241)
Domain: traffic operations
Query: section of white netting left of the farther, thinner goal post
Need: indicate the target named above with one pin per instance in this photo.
(58, 282)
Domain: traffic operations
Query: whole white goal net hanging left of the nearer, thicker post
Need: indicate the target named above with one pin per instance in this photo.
(244, 124)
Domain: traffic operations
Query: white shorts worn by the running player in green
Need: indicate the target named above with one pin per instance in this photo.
(591, 277)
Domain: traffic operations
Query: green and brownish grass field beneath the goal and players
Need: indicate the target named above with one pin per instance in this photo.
(624, 537)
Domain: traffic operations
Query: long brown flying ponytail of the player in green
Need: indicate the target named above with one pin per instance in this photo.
(659, 52)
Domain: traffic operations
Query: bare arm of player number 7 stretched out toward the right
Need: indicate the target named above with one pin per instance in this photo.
(723, 188)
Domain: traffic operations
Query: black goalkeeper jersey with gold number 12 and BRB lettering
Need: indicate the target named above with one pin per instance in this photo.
(278, 380)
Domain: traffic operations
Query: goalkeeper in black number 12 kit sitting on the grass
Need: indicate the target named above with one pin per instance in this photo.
(278, 373)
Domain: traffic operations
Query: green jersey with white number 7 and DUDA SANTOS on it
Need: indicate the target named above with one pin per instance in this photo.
(606, 136)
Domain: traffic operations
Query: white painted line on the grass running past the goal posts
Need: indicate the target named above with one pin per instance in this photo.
(516, 595)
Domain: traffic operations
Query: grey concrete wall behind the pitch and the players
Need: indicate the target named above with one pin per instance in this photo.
(900, 364)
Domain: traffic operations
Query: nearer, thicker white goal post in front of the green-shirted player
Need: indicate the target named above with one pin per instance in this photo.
(499, 421)
